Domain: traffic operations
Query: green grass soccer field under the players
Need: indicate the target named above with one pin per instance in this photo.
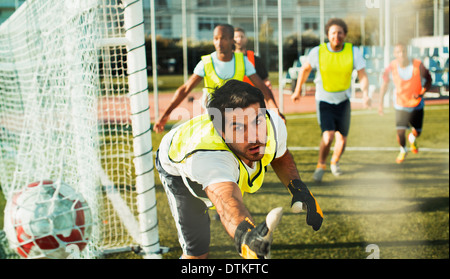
(403, 209)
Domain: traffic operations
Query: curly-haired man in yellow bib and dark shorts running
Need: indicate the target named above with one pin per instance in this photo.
(335, 62)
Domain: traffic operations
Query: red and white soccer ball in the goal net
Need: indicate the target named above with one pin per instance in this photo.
(48, 219)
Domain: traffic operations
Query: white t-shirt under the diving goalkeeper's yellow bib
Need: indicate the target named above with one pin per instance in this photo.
(206, 168)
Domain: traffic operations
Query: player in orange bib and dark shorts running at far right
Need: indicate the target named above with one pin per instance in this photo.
(408, 76)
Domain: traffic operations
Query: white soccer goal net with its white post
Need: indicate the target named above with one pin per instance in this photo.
(74, 107)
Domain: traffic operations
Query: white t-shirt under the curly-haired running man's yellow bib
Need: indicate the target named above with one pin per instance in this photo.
(332, 97)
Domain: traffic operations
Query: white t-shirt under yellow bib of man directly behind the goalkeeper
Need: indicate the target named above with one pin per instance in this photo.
(225, 70)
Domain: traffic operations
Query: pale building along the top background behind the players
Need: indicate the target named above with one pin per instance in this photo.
(424, 17)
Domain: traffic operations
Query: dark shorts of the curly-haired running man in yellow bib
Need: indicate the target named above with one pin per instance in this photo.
(333, 117)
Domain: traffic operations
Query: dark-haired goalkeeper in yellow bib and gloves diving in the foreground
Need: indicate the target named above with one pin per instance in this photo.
(213, 159)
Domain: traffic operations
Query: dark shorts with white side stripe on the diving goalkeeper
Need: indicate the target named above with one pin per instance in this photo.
(189, 212)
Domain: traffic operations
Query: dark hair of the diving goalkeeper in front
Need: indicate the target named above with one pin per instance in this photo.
(233, 94)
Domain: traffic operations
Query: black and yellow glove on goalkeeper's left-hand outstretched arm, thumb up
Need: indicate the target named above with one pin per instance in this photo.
(253, 242)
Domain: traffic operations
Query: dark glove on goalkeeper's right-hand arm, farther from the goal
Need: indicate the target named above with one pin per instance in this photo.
(300, 196)
